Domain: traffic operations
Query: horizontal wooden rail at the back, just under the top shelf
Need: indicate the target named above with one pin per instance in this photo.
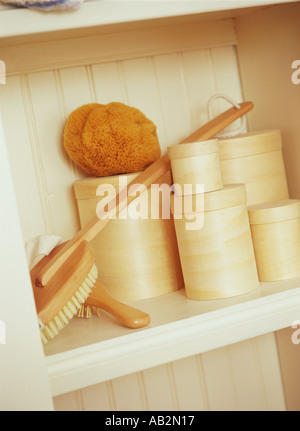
(121, 45)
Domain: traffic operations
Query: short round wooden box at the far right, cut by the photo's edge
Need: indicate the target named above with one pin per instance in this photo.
(275, 229)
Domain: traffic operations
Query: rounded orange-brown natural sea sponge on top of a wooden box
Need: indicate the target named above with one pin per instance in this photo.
(110, 139)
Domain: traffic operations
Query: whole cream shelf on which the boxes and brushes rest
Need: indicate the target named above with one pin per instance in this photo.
(91, 351)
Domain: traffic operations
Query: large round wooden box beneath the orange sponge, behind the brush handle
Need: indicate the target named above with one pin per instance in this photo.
(136, 258)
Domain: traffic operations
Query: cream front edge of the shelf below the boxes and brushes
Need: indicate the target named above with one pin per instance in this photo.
(132, 353)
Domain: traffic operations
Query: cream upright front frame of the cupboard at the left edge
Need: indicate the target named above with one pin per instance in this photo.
(23, 375)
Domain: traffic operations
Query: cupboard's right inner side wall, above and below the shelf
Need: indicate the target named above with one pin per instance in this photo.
(257, 48)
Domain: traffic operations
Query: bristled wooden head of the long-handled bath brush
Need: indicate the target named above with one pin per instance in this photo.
(60, 299)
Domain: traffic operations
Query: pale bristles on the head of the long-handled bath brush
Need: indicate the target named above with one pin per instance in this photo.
(49, 331)
